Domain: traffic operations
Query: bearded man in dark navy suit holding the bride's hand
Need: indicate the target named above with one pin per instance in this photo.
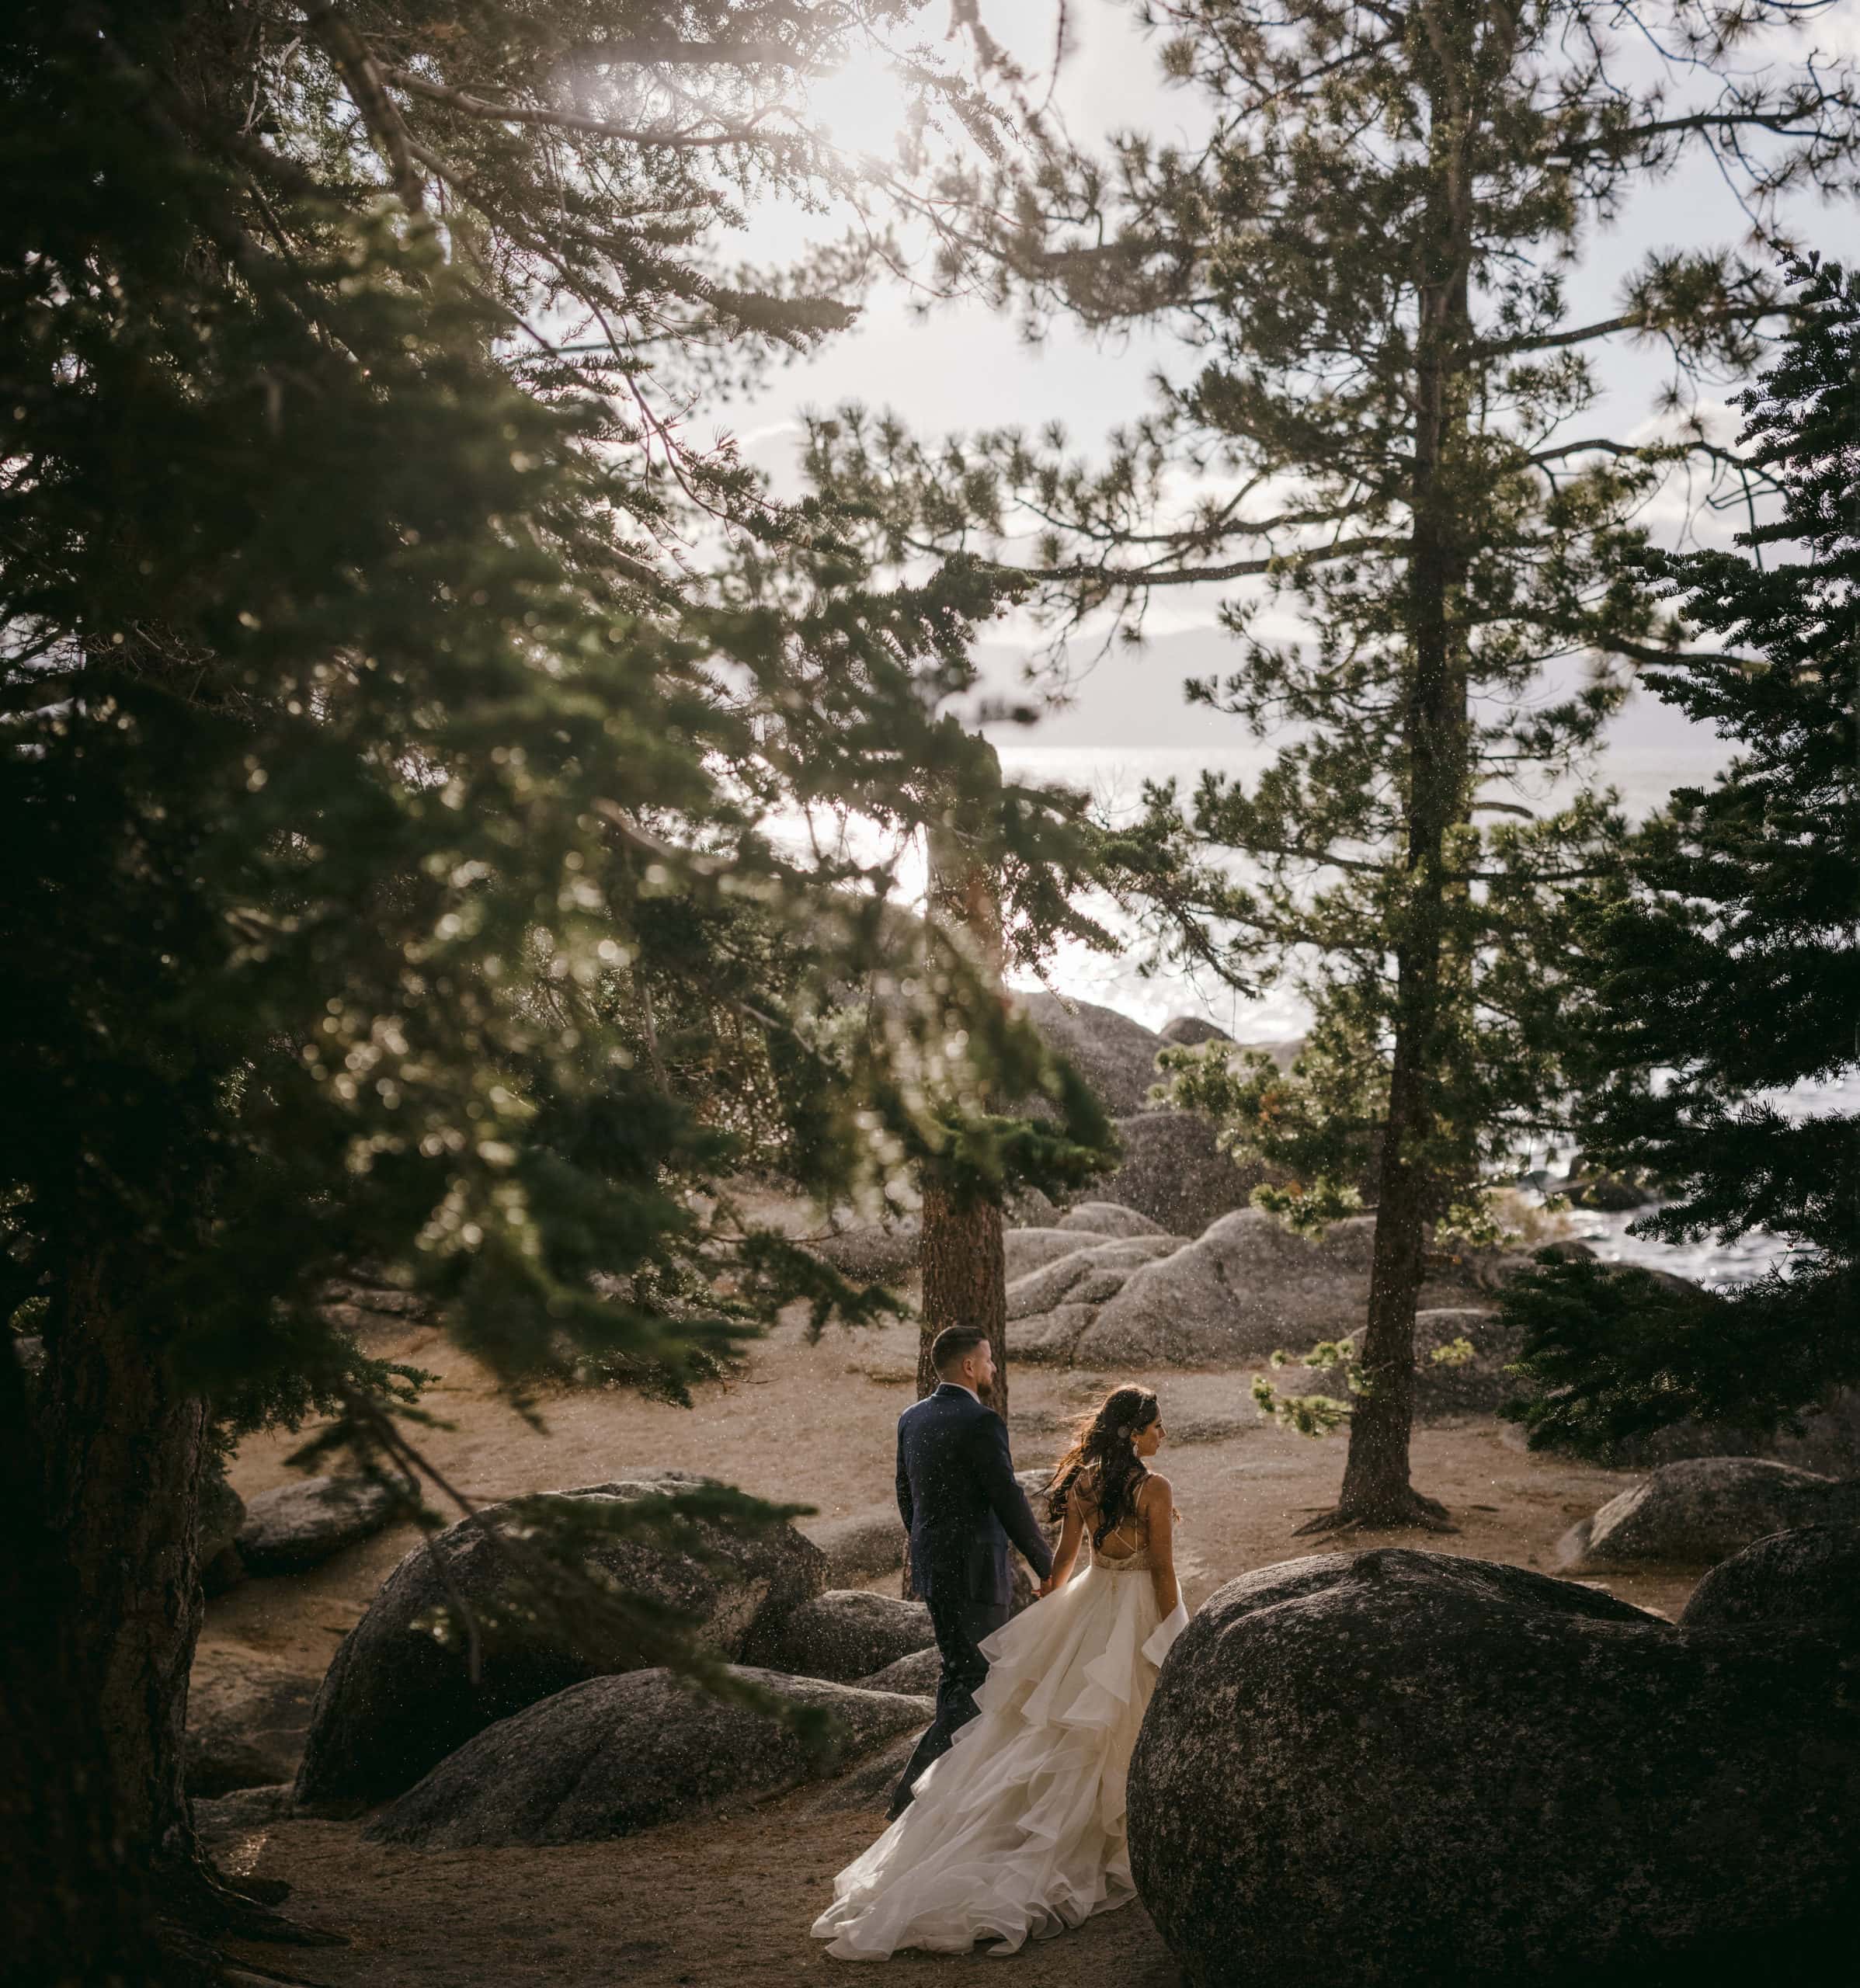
(961, 1506)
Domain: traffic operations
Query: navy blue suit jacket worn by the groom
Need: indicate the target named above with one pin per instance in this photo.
(959, 1500)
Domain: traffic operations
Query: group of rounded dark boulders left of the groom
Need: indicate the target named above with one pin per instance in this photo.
(543, 1739)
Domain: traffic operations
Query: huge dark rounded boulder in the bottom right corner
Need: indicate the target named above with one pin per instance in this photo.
(1408, 1770)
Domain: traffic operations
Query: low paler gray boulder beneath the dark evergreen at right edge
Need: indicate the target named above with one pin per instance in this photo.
(1704, 1510)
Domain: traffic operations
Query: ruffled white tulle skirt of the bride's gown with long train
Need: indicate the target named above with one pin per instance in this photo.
(1018, 1832)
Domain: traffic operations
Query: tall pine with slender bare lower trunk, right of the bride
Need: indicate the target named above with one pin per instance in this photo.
(1388, 424)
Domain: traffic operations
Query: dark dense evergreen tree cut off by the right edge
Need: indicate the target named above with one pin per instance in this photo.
(1732, 969)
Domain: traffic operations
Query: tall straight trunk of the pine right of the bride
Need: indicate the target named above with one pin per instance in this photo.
(1376, 1474)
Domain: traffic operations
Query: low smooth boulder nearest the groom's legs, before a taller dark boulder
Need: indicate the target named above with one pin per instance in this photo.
(619, 1754)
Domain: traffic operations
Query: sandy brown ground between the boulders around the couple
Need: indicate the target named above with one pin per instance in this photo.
(730, 1900)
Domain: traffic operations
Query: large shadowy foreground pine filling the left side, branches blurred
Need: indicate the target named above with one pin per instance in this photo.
(392, 800)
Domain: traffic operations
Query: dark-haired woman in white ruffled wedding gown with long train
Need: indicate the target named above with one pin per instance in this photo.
(1020, 1828)
